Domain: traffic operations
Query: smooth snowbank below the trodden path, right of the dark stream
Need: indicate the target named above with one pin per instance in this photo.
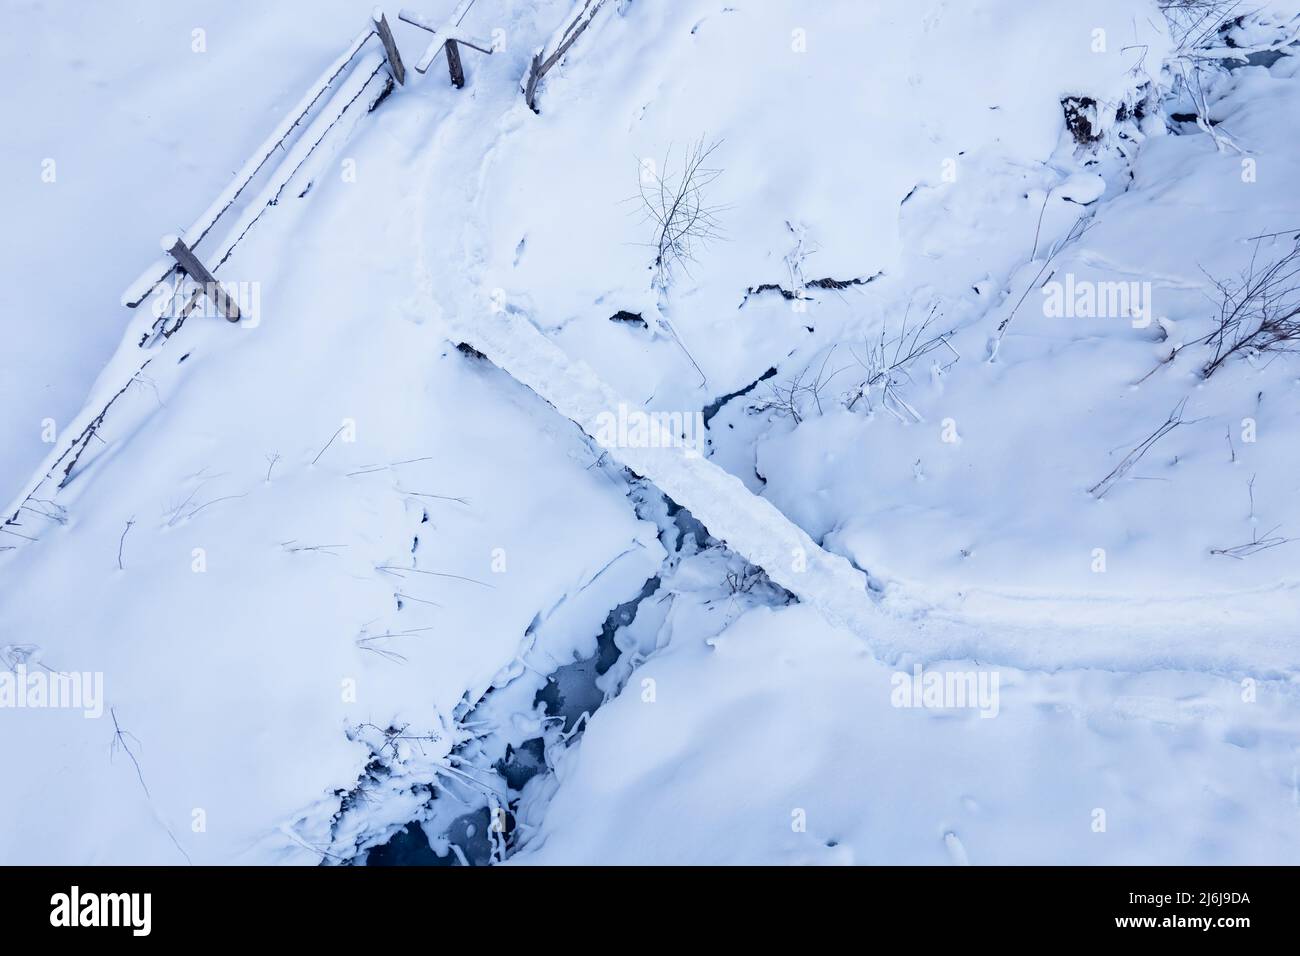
(783, 721)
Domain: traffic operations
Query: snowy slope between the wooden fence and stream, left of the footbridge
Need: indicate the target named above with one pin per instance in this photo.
(229, 681)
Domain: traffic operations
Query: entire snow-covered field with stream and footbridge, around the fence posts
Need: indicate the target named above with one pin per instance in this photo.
(821, 434)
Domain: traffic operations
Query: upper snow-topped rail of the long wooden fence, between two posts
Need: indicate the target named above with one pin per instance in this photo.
(161, 270)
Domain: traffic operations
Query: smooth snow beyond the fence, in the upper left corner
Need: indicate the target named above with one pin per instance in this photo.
(109, 94)
